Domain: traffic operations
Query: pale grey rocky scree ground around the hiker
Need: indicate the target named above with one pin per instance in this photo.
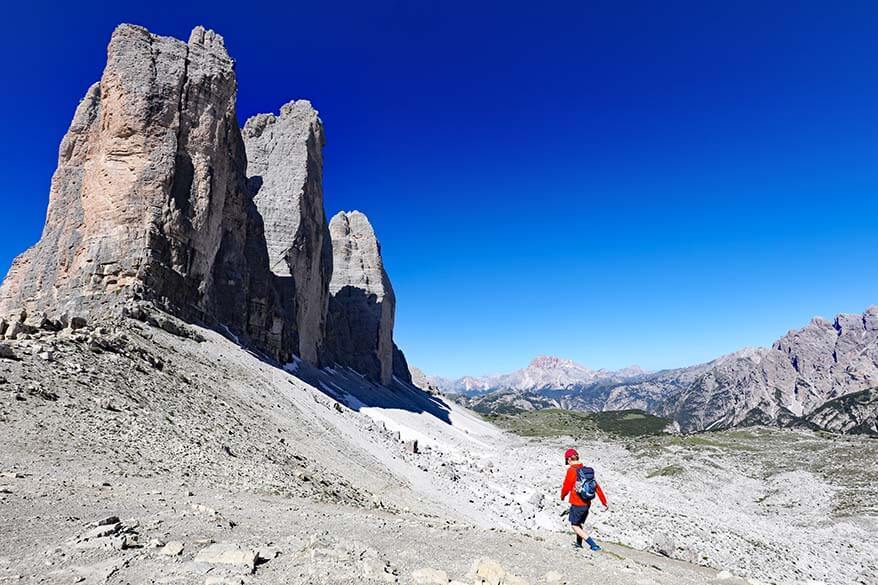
(221, 467)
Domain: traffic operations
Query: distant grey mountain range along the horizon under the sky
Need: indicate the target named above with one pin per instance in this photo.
(824, 375)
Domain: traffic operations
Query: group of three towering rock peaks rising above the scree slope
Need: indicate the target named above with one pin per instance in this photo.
(160, 198)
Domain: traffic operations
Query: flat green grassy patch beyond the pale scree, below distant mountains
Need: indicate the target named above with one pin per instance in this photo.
(553, 422)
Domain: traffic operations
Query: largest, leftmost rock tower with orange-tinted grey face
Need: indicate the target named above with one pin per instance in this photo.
(149, 198)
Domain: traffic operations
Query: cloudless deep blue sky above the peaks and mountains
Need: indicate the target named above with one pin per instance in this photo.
(615, 182)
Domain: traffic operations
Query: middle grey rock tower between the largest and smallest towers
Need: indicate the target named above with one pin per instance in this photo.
(285, 164)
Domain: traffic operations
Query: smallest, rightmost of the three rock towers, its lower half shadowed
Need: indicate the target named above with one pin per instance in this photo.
(361, 303)
